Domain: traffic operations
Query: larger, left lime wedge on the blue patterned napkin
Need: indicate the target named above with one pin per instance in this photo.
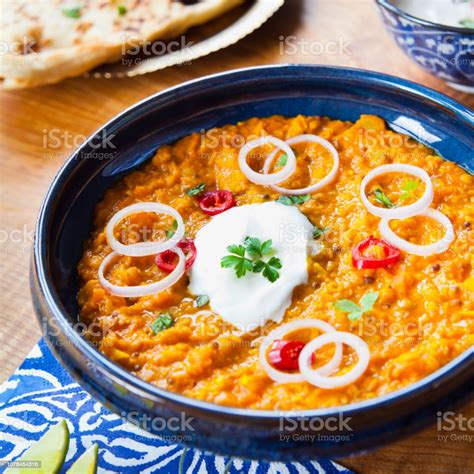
(49, 451)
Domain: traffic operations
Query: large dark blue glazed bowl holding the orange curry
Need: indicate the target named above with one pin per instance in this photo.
(65, 221)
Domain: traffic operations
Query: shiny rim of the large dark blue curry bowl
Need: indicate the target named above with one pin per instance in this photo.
(116, 372)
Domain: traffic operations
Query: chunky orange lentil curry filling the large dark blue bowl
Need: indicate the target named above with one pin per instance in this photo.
(424, 315)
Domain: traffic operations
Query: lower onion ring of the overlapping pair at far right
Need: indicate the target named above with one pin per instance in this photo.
(422, 250)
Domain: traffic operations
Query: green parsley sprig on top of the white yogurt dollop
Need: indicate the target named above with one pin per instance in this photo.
(249, 258)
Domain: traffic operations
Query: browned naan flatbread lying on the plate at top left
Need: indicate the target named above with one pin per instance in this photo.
(50, 40)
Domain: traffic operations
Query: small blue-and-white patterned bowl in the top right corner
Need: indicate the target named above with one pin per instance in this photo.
(445, 51)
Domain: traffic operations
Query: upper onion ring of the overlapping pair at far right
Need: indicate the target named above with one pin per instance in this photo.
(401, 212)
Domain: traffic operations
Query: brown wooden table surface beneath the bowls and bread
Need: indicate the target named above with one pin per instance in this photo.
(70, 111)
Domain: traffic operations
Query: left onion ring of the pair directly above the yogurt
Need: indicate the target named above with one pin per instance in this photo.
(263, 178)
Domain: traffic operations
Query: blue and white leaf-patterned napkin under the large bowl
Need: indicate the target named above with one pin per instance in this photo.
(40, 393)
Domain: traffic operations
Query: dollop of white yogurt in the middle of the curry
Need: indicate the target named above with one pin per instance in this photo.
(252, 300)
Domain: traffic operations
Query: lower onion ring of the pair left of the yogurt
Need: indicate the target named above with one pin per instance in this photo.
(141, 290)
